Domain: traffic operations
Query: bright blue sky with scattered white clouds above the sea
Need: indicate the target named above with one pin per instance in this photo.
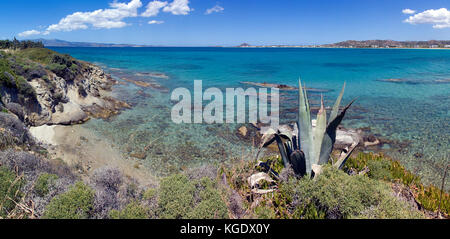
(231, 22)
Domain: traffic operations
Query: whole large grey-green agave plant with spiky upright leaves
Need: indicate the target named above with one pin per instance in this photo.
(305, 148)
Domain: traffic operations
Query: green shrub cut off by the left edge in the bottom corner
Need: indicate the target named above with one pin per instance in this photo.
(10, 187)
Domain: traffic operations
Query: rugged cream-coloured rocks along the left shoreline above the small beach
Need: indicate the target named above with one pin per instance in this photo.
(62, 102)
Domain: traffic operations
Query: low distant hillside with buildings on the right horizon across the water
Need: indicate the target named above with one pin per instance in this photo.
(390, 44)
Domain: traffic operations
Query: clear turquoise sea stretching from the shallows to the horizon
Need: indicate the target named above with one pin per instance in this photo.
(412, 117)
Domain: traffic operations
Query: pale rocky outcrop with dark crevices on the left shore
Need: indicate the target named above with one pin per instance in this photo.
(69, 93)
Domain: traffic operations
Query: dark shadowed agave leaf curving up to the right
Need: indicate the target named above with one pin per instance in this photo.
(330, 136)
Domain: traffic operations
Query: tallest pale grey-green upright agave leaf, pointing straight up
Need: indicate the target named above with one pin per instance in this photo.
(304, 126)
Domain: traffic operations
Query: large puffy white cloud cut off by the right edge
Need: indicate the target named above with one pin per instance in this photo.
(439, 18)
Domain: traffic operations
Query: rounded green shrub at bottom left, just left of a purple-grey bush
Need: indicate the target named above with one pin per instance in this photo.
(76, 203)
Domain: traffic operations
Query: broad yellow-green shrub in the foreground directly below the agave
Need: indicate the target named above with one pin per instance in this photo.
(334, 194)
